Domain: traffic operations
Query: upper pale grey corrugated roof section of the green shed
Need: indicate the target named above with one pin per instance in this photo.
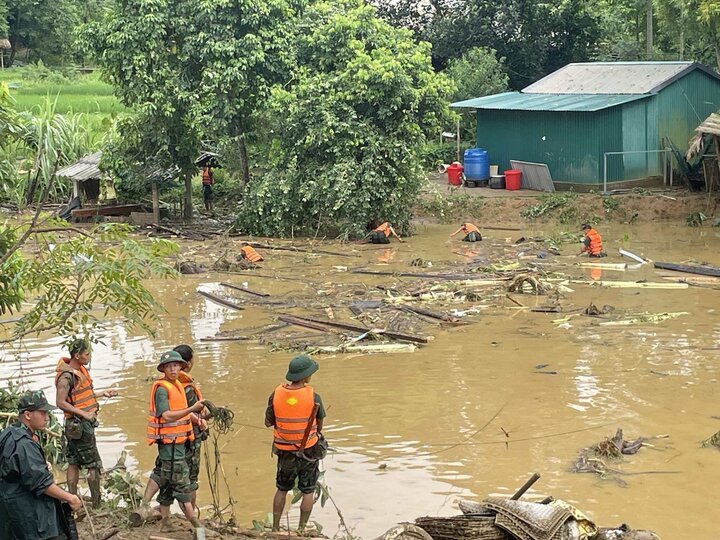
(613, 78)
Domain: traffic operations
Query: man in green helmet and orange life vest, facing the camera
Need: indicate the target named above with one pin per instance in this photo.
(170, 427)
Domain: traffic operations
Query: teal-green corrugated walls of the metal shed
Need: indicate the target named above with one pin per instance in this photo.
(572, 144)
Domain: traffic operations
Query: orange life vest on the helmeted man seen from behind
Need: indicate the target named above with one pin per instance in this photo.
(292, 410)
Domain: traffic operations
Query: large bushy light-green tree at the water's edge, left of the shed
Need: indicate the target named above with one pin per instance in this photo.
(347, 132)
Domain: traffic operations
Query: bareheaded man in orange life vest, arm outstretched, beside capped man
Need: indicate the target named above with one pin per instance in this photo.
(77, 399)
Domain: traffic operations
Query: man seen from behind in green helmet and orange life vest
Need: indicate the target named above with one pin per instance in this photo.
(296, 412)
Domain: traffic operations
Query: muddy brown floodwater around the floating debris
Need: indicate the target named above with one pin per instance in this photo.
(471, 414)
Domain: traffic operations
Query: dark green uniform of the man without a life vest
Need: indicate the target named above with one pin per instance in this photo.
(25, 512)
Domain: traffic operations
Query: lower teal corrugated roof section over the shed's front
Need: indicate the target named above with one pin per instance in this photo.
(547, 102)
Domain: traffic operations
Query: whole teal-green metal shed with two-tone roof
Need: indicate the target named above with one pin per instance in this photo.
(602, 120)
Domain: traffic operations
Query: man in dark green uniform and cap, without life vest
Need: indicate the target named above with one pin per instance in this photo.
(29, 499)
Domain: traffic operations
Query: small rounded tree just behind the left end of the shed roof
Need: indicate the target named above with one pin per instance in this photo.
(478, 72)
